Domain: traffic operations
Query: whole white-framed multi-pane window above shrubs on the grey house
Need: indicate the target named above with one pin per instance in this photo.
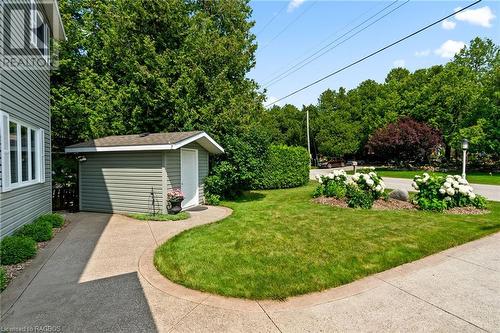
(22, 153)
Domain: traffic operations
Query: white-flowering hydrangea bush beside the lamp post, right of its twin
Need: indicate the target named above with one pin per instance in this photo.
(439, 193)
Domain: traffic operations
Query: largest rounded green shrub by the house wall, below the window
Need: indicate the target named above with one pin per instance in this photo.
(16, 249)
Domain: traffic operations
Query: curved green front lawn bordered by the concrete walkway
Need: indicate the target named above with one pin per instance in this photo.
(278, 244)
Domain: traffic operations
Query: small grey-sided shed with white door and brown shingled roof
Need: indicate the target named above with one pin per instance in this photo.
(133, 173)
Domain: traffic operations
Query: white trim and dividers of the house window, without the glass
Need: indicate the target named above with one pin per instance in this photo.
(5, 151)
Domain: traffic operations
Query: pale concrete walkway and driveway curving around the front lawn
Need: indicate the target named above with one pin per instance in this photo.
(97, 275)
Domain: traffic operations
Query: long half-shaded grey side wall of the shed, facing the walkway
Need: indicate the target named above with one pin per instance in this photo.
(121, 182)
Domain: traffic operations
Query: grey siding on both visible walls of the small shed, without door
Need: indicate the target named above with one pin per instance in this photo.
(120, 182)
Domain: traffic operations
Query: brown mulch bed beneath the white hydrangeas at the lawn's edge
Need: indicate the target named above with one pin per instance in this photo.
(393, 204)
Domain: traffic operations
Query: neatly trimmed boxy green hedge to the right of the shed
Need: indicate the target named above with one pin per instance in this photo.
(284, 167)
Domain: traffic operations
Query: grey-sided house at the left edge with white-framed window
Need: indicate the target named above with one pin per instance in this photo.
(26, 27)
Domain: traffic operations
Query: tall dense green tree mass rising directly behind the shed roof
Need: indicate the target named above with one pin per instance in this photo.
(131, 66)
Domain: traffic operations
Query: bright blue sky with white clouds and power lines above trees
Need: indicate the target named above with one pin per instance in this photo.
(332, 34)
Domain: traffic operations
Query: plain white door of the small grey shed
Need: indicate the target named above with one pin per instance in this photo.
(189, 177)
